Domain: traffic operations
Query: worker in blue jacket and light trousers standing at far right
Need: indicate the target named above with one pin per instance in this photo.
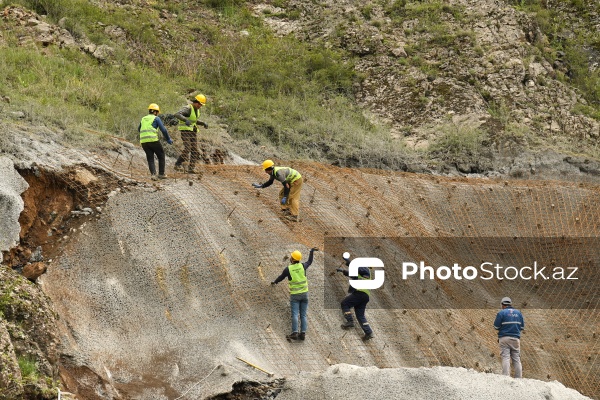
(509, 323)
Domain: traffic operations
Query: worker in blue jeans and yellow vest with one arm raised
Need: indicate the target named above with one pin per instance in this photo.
(298, 285)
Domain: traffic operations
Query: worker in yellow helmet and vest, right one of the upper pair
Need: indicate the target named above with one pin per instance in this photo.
(188, 128)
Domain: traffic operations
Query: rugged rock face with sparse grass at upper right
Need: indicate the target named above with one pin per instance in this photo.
(460, 60)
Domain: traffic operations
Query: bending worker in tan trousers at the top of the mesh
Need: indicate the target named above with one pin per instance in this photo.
(289, 195)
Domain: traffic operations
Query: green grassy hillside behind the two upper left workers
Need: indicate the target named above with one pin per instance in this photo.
(268, 90)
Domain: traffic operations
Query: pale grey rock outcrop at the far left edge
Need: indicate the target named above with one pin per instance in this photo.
(11, 204)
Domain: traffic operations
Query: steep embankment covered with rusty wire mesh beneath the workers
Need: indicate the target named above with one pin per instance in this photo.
(172, 280)
